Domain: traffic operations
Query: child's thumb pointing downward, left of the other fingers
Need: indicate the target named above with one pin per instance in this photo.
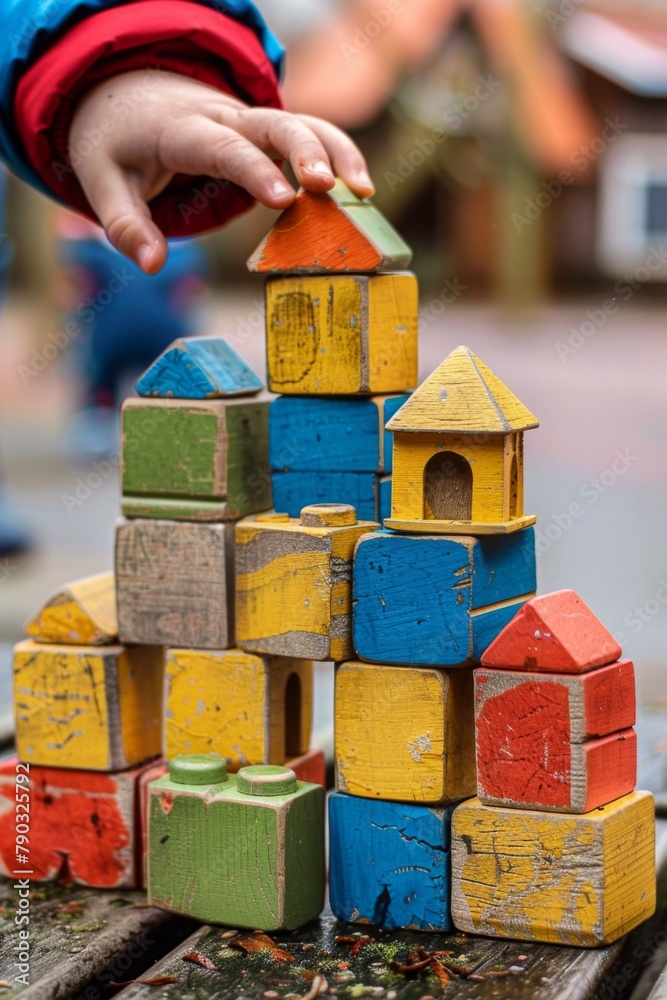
(114, 197)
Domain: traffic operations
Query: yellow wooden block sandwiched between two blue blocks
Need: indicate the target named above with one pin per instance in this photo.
(404, 735)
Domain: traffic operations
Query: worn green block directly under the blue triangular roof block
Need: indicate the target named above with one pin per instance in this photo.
(195, 460)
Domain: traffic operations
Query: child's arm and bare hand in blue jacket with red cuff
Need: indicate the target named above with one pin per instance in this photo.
(126, 110)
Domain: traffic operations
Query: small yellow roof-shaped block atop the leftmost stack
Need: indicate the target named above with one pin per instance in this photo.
(81, 613)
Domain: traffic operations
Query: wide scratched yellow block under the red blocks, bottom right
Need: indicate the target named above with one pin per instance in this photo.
(535, 876)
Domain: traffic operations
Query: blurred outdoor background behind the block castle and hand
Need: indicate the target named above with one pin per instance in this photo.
(521, 147)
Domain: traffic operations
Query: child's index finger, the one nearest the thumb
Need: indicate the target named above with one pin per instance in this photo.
(197, 145)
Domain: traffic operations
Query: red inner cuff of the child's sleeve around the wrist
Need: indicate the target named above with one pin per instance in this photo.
(174, 35)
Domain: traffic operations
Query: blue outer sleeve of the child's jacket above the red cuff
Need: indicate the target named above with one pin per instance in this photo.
(30, 27)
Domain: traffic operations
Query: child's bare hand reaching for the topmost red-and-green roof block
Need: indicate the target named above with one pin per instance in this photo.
(182, 126)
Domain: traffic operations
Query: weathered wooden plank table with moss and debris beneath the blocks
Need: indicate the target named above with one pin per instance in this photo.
(85, 943)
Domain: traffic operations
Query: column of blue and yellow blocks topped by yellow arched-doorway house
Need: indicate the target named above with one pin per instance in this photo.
(453, 564)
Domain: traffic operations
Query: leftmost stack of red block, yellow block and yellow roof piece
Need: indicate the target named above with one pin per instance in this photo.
(88, 714)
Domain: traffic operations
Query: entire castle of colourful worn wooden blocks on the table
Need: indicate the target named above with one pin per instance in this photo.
(163, 712)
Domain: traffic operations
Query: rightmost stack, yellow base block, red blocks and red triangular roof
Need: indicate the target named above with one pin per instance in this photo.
(543, 853)
